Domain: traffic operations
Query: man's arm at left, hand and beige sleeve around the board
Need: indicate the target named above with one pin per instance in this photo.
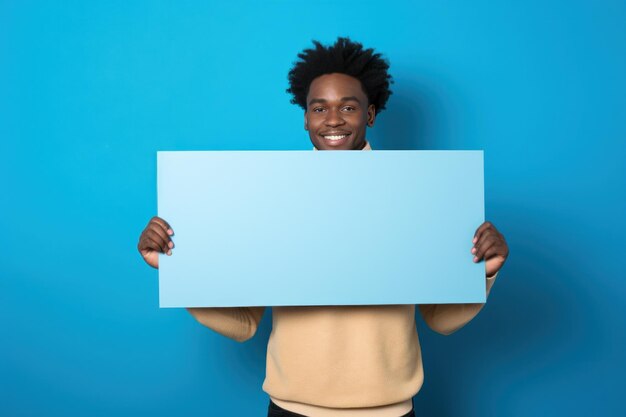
(239, 323)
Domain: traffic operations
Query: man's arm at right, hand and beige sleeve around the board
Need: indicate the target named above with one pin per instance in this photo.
(489, 244)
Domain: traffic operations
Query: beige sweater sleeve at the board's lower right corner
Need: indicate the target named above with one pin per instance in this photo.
(448, 318)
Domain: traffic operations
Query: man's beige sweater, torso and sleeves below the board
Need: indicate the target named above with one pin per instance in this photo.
(342, 360)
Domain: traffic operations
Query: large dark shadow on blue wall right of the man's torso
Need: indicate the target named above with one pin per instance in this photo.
(531, 326)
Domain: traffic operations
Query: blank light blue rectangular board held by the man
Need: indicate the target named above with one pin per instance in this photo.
(270, 228)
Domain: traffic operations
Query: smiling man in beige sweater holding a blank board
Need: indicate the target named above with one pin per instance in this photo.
(340, 360)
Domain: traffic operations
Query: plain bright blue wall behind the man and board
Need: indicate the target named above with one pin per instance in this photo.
(89, 91)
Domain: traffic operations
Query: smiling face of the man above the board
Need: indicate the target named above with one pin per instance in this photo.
(338, 113)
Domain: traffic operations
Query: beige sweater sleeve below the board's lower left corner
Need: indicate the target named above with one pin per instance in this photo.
(238, 323)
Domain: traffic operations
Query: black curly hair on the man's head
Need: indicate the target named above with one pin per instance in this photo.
(346, 57)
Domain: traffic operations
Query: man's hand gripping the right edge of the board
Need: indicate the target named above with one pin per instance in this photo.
(489, 244)
